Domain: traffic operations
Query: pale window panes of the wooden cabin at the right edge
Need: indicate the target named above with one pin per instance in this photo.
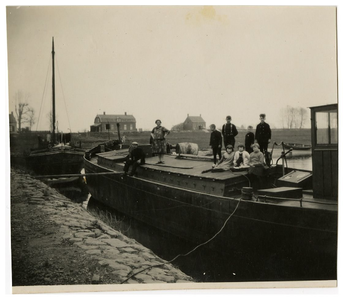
(326, 127)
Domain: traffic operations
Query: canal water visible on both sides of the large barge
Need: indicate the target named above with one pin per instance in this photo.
(209, 266)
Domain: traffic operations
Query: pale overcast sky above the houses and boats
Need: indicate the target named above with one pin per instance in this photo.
(167, 62)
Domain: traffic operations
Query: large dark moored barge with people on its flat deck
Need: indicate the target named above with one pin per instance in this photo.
(281, 219)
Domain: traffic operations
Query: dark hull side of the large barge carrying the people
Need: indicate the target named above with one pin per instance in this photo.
(292, 232)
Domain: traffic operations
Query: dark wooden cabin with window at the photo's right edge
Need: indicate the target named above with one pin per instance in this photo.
(324, 121)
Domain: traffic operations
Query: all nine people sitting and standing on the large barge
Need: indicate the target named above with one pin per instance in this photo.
(248, 155)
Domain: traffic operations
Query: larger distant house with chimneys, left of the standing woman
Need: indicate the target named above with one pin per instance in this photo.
(104, 122)
